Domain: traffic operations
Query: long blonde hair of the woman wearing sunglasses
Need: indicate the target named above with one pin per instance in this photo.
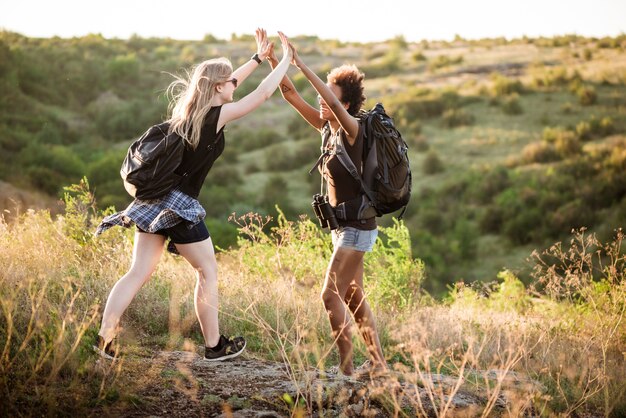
(191, 97)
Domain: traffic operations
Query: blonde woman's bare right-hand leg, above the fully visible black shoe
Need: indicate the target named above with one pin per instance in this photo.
(201, 256)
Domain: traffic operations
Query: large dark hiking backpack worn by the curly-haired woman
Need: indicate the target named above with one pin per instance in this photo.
(386, 181)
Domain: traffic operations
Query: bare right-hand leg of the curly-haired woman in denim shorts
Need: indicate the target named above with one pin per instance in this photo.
(355, 299)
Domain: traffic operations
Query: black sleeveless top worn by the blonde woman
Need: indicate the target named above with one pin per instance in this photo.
(197, 163)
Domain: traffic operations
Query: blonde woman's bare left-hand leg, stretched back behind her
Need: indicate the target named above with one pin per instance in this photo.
(147, 251)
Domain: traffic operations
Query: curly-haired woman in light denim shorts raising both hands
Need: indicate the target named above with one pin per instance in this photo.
(340, 100)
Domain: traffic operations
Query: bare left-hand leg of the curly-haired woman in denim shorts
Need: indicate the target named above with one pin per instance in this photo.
(338, 277)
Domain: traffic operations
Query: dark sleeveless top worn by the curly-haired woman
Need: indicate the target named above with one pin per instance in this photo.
(341, 185)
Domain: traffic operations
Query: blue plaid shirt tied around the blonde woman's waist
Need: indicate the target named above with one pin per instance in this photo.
(154, 215)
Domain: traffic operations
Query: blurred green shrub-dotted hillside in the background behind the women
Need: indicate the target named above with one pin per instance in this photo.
(513, 143)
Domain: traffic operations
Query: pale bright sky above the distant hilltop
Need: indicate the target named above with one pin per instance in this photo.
(345, 20)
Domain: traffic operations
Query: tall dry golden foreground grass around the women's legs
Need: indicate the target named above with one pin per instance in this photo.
(553, 348)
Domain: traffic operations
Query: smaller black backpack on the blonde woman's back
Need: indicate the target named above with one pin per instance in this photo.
(148, 168)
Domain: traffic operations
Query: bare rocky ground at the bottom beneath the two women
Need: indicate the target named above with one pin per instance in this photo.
(181, 384)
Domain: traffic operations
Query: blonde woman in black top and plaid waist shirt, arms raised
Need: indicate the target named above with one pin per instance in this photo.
(199, 114)
